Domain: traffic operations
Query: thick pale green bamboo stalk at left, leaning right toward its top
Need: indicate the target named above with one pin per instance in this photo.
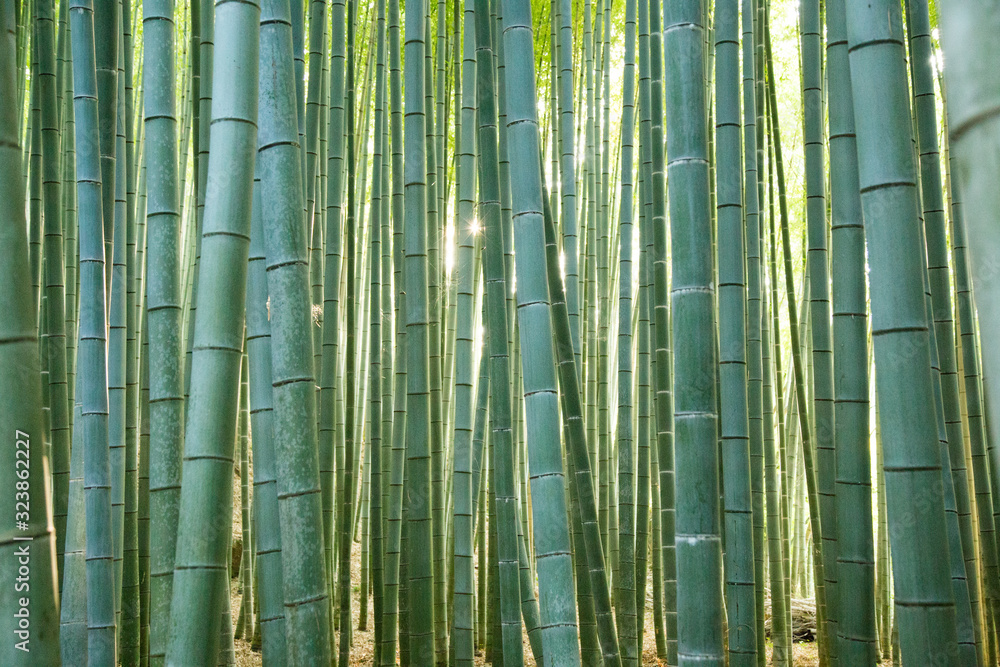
(200, 566)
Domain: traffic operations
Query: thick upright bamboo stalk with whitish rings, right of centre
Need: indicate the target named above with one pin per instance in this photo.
(699, 557)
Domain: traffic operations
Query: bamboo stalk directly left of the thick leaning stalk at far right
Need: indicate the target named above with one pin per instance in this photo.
(857, 640)
